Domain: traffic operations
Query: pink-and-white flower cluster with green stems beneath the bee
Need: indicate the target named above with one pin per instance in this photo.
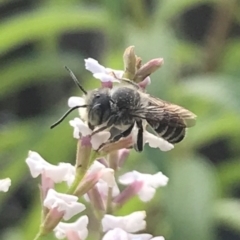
(93, 180)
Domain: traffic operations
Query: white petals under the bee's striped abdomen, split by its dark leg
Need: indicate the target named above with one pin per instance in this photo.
(152, 140)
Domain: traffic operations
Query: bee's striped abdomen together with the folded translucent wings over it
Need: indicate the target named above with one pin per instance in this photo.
(169, 120)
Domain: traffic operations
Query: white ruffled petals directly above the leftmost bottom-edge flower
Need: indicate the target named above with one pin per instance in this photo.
(63, 203)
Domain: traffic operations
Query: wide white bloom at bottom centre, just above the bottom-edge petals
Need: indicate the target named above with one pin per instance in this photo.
(131, 223)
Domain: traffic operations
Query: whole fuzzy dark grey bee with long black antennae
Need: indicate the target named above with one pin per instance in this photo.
(126, 106)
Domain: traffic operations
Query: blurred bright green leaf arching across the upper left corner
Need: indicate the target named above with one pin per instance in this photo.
(46, 22)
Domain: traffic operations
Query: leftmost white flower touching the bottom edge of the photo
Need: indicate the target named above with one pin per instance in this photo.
(79, 228)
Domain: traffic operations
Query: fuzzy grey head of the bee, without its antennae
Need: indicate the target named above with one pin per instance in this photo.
(99, 106)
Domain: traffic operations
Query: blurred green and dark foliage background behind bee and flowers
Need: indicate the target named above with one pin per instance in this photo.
(200, 43)
